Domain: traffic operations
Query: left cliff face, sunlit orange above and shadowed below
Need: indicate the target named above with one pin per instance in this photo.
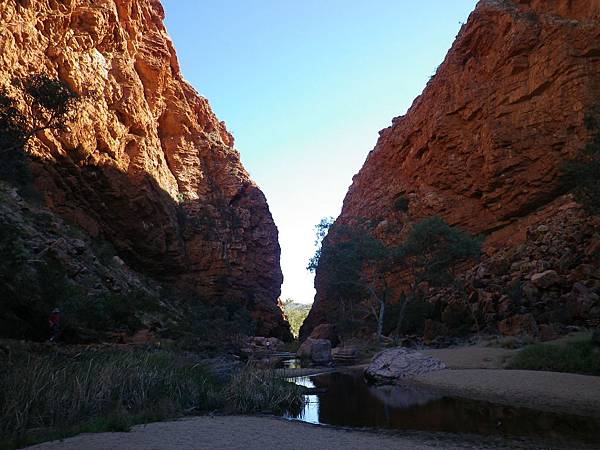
(146, 164)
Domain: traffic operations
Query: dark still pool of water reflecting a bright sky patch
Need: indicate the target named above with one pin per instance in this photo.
(346, 400)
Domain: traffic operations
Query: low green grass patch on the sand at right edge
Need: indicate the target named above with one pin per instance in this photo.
(581, 357)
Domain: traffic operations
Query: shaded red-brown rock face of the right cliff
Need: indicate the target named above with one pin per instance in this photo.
(482, 146)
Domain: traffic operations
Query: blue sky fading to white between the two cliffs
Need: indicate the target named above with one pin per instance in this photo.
(305, 86)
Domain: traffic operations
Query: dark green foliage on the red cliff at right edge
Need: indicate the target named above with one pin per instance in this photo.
(582, 174)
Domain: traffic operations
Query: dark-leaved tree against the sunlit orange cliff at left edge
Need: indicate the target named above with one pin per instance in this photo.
(50, 104)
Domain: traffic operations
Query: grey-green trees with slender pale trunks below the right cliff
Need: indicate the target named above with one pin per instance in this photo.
(360, 264)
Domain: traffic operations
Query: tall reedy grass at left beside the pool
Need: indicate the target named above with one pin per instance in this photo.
(52, 396)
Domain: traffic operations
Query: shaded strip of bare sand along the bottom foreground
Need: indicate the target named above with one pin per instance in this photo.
(260, 433)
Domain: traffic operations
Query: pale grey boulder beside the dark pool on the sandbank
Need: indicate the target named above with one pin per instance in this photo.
(392, 365)
